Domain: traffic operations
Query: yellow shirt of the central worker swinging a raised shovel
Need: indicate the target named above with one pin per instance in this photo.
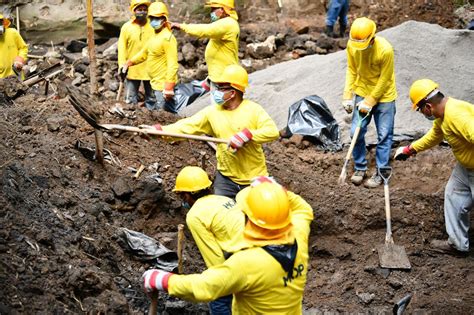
(249, 161)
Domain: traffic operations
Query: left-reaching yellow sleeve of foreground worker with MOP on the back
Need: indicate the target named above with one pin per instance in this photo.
(217, 281)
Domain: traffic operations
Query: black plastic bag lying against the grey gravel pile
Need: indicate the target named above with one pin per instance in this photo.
(312, 118)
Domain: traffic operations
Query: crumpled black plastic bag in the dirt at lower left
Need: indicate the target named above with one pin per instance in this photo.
(146, 248)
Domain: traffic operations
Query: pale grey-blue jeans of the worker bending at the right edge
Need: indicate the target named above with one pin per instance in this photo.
(458, 203)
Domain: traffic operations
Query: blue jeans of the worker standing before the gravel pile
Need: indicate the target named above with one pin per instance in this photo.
(384, 117)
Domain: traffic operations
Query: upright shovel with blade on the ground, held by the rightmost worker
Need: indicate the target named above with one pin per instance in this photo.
(391, 256)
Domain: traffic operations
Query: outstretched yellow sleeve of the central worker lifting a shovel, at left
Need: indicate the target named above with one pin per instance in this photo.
(197, 124)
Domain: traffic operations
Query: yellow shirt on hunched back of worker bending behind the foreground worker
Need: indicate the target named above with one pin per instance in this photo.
(217, 224)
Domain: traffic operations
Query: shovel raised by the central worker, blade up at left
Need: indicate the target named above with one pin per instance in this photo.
(78, 103)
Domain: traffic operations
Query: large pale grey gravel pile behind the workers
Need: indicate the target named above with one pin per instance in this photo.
(442, 55)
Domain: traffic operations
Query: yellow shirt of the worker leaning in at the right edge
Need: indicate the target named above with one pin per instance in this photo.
(457, 127)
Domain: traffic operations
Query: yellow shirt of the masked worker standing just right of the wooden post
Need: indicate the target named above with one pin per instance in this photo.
(133, 38)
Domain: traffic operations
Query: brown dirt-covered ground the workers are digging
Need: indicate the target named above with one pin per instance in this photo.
(61, 214)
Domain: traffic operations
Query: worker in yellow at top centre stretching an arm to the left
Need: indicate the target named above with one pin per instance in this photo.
(223, 33)
